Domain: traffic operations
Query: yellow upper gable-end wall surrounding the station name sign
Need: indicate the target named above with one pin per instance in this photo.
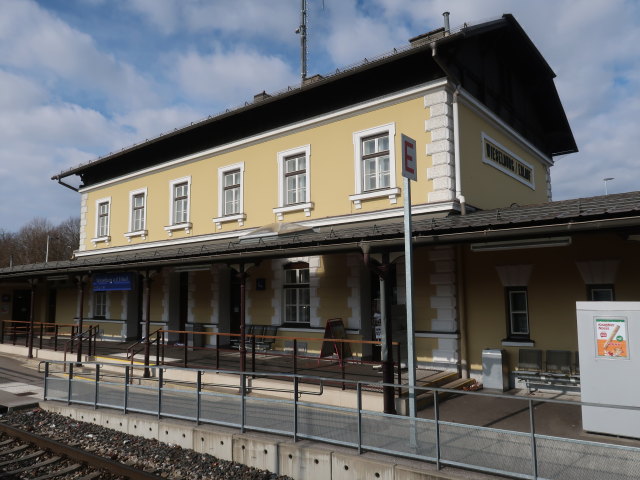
(483, 185)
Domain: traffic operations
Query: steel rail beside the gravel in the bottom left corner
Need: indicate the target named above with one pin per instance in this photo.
(78, 454)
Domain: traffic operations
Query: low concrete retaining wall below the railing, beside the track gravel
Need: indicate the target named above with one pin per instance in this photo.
(302, 460)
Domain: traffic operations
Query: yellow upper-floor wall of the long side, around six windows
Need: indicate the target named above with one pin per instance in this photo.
(331, 163)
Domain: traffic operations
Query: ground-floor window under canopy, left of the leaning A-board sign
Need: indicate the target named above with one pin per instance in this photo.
(296, 294)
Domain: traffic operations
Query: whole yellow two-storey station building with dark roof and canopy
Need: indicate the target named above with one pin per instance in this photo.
(302, 191)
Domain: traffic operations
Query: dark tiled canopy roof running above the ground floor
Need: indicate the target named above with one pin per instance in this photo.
(567, 216)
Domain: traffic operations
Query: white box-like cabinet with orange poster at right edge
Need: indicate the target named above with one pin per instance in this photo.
(609, 348)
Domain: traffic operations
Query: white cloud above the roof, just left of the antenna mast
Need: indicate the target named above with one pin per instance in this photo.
(231, 77)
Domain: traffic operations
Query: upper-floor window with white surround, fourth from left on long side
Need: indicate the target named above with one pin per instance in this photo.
(230, 195)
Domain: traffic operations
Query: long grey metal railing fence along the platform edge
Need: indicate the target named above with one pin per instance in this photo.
(437, 436)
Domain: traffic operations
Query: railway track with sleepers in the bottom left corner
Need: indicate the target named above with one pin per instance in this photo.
(24, 455)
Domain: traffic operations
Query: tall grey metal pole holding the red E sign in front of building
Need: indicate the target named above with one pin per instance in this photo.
(408, 255)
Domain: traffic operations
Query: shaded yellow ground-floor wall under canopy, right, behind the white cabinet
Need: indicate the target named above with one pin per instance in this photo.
(554, 287)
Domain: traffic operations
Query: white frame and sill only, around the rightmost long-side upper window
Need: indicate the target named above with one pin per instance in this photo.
(392, 192)
